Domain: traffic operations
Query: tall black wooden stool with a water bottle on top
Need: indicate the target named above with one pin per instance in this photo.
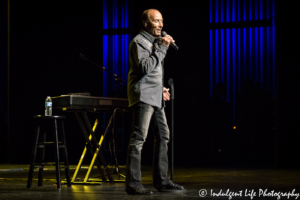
(42, 122)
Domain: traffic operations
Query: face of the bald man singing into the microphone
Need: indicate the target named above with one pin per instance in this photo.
(155, 23)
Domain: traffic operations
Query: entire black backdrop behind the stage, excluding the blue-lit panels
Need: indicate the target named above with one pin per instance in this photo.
(46, 39)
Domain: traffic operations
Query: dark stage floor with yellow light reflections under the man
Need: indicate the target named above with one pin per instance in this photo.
(241, 183)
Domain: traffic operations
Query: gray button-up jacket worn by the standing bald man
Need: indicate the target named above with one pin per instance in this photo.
(145, 78)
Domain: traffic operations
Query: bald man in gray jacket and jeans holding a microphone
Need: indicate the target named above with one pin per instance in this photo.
(147, 97)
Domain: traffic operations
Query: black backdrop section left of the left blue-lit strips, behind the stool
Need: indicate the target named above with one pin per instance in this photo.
(46, 40)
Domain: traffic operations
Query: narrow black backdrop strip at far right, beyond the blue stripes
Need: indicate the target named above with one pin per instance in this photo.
(288, 84)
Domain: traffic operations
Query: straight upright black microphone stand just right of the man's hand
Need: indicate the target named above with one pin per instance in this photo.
(172, 127)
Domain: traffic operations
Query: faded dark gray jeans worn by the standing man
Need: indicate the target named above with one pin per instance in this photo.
(142, 115)
